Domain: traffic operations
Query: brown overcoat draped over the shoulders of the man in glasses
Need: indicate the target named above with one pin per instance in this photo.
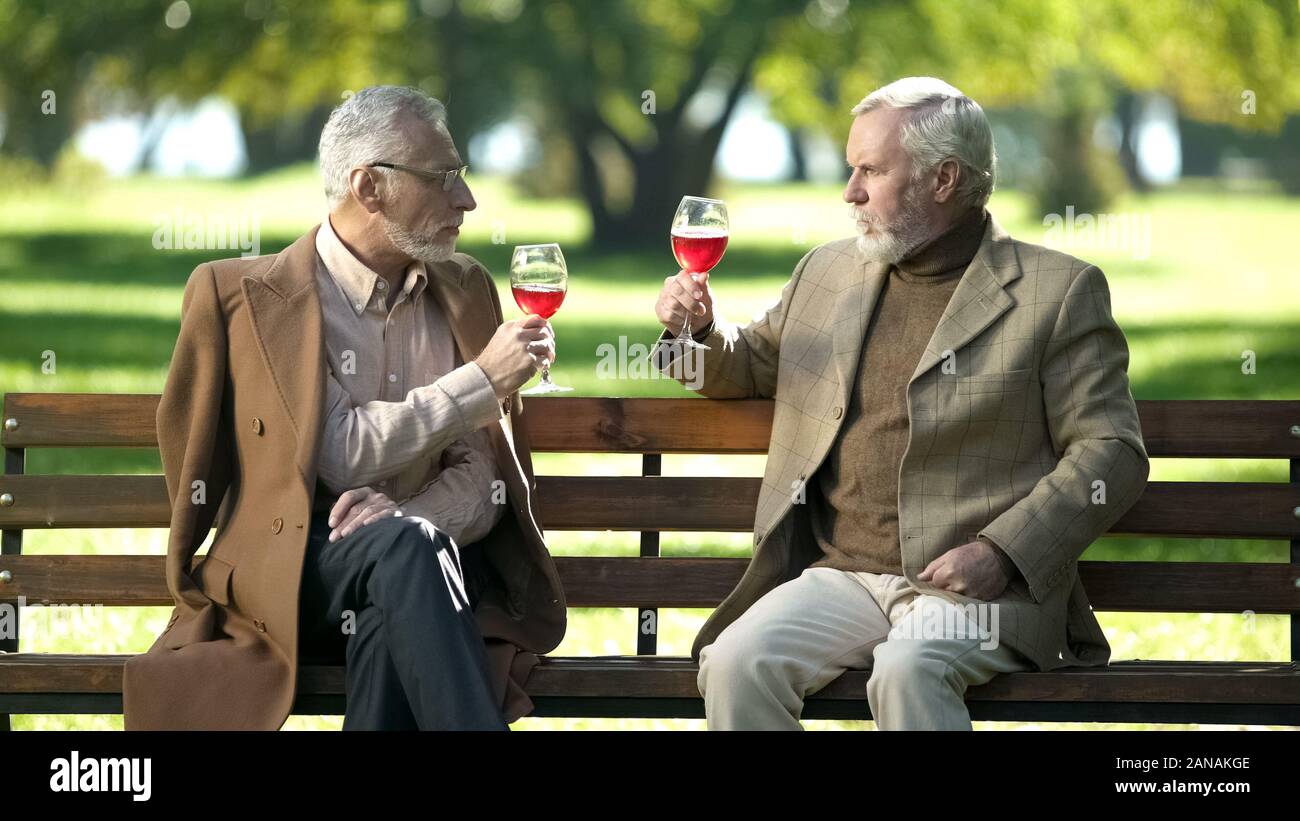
(240, 428)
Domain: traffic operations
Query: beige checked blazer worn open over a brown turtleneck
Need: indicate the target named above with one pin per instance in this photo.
(1022, 428)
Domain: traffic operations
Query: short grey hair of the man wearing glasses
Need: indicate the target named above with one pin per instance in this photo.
(362, 131)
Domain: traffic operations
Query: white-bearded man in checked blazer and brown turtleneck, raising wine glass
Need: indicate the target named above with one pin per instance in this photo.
(954, 427)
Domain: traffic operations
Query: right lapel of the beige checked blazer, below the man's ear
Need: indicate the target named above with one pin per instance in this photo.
(980, 299)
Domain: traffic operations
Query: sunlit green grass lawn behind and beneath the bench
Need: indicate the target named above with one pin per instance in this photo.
(1211, 279)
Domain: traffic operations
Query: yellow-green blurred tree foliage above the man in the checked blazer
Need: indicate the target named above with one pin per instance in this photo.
(1223, 62)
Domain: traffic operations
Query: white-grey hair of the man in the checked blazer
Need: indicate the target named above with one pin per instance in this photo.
(944, 124)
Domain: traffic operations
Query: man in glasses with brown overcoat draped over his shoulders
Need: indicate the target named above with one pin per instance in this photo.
(352, 403)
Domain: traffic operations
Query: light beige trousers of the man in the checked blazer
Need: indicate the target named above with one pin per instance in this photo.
(922, 650)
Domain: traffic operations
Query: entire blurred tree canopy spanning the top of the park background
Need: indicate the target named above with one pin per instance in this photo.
(635, 95)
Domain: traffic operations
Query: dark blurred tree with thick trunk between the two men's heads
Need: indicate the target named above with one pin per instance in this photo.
(640, 92)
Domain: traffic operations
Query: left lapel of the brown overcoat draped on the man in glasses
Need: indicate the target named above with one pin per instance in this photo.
(287, 318)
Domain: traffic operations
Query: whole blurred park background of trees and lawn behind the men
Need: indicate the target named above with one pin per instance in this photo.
(1160, 141)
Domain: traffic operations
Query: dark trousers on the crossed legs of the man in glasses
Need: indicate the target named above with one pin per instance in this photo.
(393, 602)
